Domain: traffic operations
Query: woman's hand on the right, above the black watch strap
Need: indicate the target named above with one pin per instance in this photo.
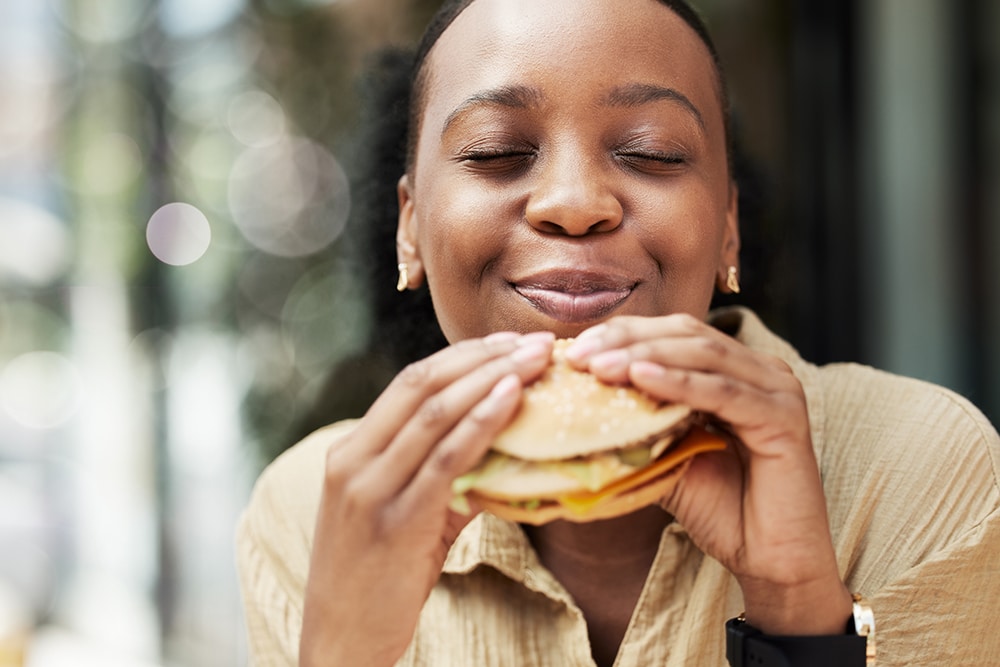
(757, 507)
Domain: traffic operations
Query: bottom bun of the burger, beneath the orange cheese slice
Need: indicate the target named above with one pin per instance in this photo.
(631, 500)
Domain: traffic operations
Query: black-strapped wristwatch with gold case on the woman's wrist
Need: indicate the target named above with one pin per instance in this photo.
(746, 646)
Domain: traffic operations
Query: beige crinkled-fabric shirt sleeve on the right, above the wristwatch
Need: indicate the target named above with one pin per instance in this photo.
(911, 474)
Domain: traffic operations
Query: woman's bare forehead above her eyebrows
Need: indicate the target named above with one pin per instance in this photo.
(569, 46)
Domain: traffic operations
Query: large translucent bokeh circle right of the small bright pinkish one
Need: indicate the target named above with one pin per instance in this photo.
(289, 199)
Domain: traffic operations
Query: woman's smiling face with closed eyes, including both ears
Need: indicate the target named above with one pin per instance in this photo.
(570, 166)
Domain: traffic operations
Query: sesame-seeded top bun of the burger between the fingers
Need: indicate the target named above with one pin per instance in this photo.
(568, 413)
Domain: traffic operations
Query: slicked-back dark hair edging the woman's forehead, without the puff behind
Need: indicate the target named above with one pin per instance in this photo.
(450, 10)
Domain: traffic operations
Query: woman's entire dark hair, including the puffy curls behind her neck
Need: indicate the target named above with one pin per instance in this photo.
(405, 327)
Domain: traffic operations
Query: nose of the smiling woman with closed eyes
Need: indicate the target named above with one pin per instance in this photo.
(572, 196)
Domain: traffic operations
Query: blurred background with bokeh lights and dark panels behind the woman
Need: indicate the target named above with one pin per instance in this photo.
(181, 233)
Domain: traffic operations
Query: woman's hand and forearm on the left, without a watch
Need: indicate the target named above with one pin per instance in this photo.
(384, 525)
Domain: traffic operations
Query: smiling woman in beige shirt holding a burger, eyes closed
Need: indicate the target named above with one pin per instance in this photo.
(568, 175)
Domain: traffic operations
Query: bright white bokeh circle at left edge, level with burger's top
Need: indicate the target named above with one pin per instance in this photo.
(40, 389)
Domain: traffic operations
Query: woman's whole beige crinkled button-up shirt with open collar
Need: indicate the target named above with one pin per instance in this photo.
(910, 472)
